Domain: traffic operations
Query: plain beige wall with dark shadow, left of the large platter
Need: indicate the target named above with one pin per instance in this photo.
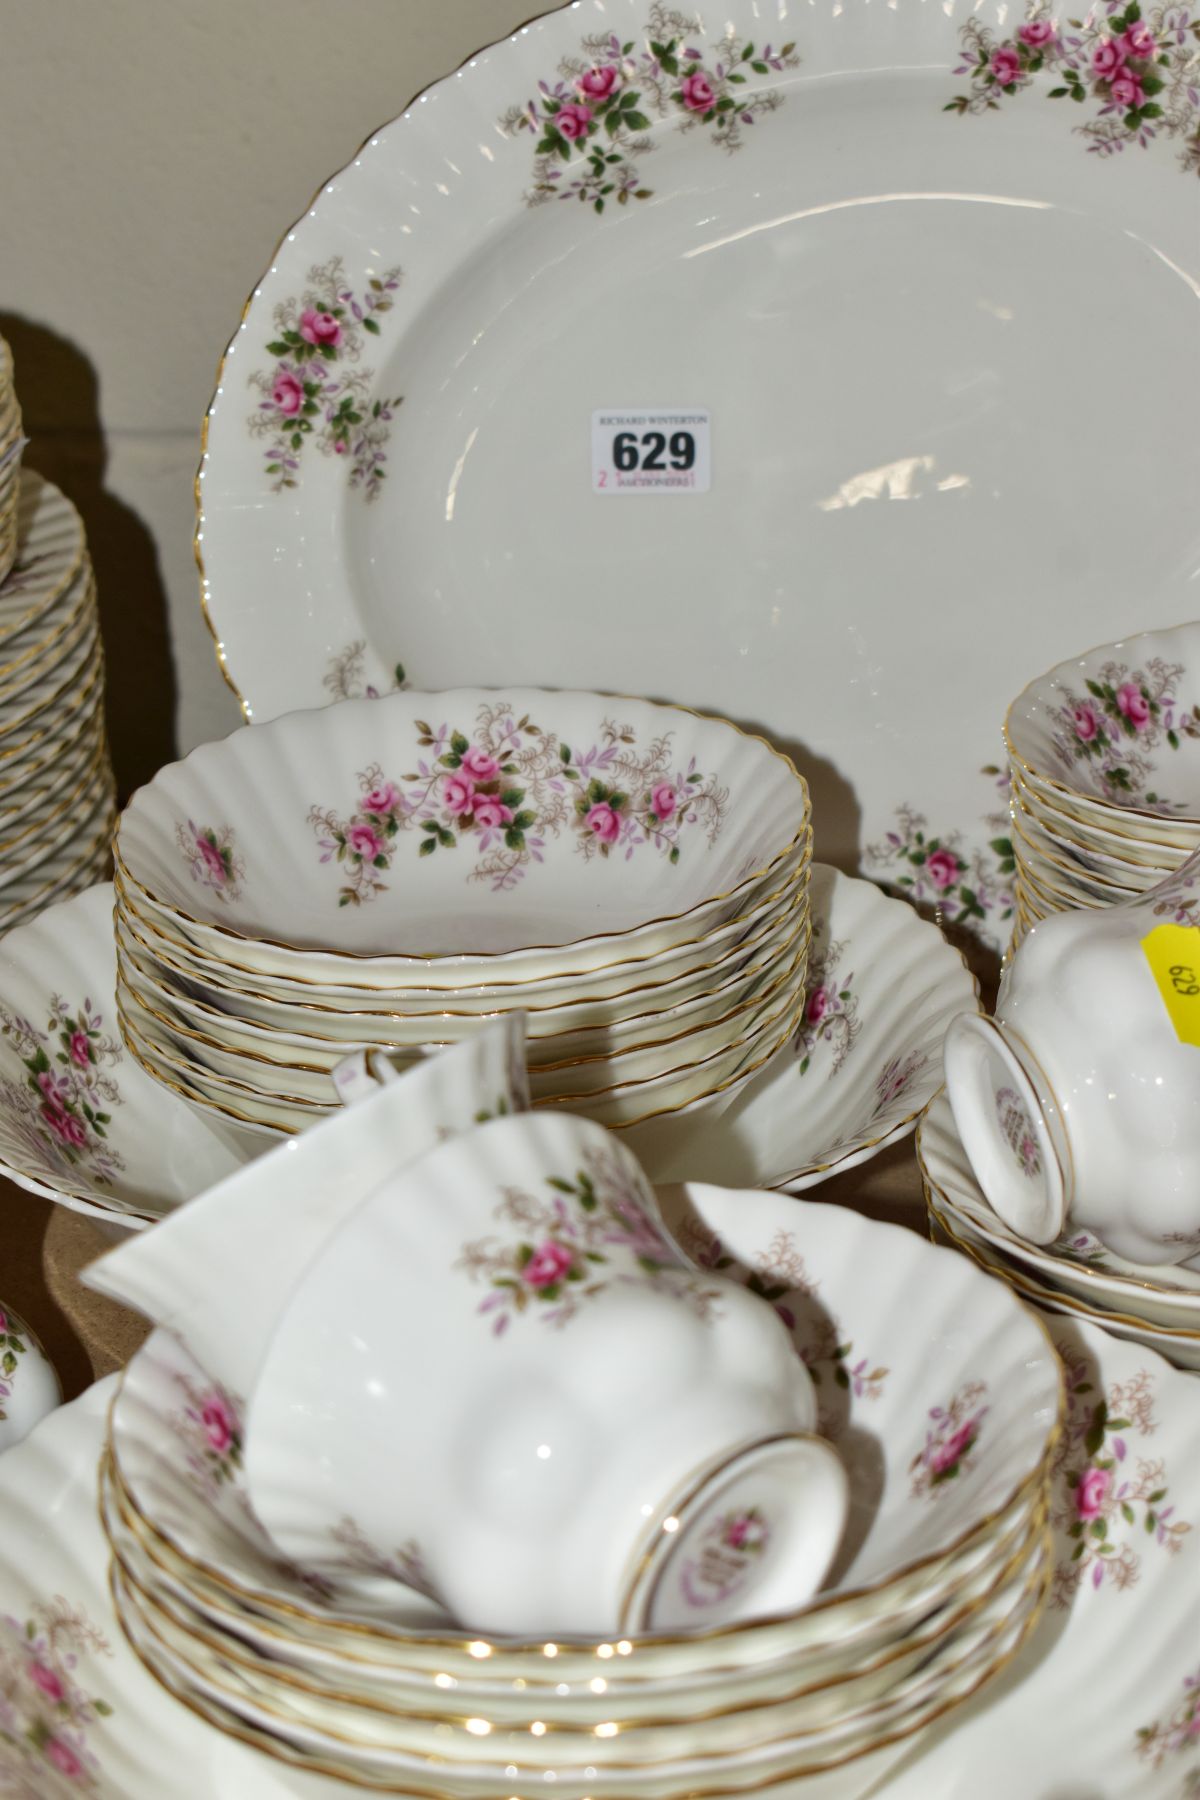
(156, 152)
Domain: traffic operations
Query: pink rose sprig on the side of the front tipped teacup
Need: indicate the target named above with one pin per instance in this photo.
(557, 1250)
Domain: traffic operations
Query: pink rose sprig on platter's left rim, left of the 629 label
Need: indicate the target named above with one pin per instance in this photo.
(318, 390)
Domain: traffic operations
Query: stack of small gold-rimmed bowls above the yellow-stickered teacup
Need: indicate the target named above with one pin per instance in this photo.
(1106, 773)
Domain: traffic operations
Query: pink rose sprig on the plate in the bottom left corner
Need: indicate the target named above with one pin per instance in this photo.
(48, 1711)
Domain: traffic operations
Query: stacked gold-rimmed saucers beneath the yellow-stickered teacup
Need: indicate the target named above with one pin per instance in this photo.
(1077, 1275)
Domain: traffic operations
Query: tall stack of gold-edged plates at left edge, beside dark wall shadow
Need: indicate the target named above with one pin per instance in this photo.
(57, 786)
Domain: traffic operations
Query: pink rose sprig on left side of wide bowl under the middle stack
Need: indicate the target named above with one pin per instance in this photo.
(64, 1108)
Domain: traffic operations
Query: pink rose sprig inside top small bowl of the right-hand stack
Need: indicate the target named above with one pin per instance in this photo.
(1120, 723)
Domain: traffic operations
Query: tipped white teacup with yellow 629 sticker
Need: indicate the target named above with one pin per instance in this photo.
(1080, 1104)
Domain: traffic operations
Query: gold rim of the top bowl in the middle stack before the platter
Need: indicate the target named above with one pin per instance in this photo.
(800, 845)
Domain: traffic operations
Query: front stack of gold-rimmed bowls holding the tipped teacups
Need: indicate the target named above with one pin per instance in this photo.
(945, 1417)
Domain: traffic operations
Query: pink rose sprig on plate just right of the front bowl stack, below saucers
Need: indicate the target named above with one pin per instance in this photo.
(1107, 1500)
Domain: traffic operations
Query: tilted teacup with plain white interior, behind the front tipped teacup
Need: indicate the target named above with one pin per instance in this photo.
(222, 1268)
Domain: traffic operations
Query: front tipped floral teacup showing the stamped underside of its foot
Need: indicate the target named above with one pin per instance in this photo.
(505, 1381)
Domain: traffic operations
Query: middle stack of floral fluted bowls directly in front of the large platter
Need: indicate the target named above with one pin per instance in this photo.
(391, 872)
